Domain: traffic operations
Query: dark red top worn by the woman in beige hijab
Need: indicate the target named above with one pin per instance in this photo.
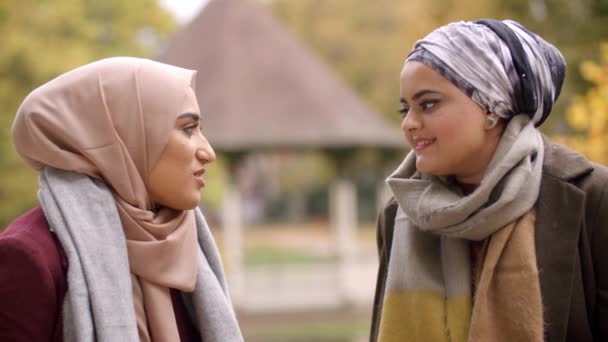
(33, 271)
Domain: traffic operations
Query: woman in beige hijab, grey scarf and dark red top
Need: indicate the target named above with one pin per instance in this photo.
(118, 250)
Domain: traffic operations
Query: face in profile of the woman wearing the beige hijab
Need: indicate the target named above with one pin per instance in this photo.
(177, 177)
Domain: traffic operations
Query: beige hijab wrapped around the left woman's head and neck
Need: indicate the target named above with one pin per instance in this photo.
(111, 120)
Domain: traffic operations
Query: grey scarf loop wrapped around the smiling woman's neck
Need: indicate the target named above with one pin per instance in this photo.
(508, 189)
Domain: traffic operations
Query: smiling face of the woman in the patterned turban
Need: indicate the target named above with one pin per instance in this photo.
(447, 130)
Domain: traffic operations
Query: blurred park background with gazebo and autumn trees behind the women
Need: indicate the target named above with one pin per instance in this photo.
(300, 101)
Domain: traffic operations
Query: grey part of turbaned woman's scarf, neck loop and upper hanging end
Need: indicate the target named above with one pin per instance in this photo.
(434, 221)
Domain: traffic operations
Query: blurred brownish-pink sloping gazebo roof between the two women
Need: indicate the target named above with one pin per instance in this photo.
(258, 88)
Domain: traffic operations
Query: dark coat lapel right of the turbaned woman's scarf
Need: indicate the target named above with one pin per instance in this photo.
(560, 210)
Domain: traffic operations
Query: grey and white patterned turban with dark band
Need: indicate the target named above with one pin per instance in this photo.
(500, 65)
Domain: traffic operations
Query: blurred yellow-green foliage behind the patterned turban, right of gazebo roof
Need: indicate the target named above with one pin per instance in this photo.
(367, 41)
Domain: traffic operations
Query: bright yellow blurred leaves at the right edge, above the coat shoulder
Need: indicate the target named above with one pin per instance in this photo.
(588, 114)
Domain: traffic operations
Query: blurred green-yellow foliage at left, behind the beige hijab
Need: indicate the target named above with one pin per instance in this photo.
(43, 38)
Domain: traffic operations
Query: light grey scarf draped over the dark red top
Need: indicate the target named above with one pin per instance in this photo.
(98, 305)
